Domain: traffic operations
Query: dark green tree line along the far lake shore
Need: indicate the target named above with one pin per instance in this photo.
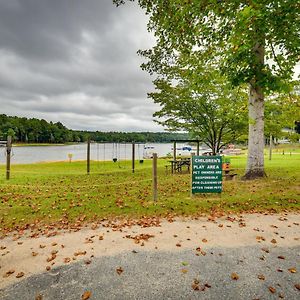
(24, 130)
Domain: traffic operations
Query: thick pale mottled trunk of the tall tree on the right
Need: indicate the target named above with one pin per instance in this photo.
(256, 139)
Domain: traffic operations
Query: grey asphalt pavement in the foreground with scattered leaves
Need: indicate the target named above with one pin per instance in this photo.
(170, 275)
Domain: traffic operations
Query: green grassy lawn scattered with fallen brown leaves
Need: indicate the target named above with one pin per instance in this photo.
(62, 193)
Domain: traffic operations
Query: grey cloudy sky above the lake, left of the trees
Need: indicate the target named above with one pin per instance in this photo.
(75, 61)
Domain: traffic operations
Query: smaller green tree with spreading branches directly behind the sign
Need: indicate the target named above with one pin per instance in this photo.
(205, 106)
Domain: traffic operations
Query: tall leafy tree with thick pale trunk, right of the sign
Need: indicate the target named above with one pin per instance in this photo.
(254, 42)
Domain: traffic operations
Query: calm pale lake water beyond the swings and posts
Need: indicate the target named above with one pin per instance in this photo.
(107, 151)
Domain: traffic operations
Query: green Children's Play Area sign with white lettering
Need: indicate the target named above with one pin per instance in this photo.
(206, 174)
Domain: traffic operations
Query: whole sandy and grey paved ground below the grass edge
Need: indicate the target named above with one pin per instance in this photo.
(175, 260)
